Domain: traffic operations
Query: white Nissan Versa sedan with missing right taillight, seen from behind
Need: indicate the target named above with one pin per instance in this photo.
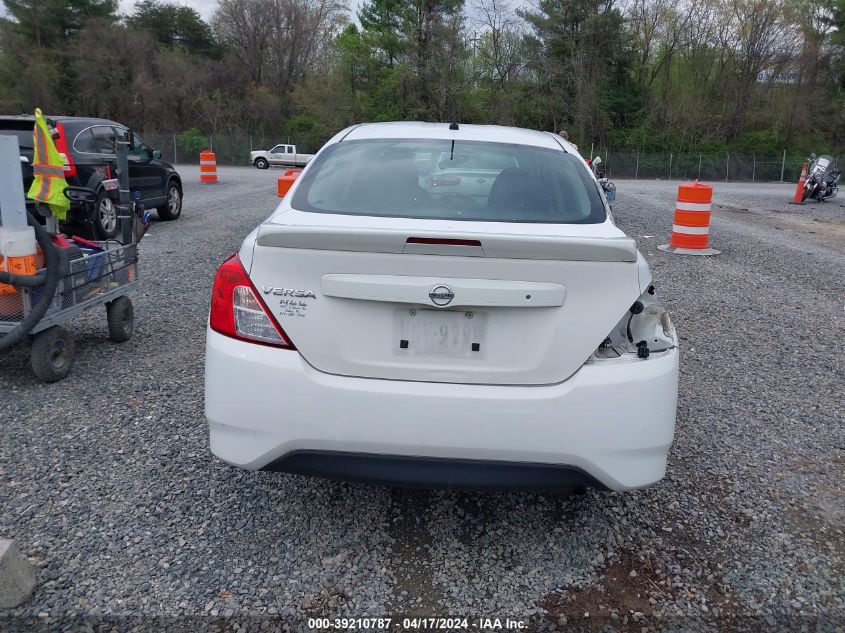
(443, 307)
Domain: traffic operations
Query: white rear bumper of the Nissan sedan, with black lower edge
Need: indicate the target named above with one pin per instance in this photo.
(612, 421)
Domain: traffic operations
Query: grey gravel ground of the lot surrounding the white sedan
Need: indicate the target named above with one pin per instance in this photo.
(110, 489)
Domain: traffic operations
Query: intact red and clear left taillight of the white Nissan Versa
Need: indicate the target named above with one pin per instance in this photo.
(238, 311)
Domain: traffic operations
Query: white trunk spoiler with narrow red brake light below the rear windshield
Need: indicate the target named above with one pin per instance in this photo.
(544, 247)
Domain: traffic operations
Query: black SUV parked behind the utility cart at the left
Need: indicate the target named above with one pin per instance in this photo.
(88, 146)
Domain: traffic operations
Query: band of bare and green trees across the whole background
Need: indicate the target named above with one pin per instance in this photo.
(752, 76)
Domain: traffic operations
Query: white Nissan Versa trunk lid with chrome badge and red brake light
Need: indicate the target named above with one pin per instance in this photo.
(464, 304)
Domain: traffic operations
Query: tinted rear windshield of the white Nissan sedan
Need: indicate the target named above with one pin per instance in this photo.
(446, 180)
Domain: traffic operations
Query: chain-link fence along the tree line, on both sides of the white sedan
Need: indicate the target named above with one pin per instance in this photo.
(234, 149)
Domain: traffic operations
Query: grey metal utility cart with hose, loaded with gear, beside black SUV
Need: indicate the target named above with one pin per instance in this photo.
(71, 274)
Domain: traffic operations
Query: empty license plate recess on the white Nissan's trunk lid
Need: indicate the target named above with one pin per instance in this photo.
(445, 333)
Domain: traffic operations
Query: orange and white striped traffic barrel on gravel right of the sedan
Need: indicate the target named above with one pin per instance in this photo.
(691, 226)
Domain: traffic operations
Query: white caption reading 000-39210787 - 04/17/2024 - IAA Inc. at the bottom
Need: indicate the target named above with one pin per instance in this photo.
(415, 624)
